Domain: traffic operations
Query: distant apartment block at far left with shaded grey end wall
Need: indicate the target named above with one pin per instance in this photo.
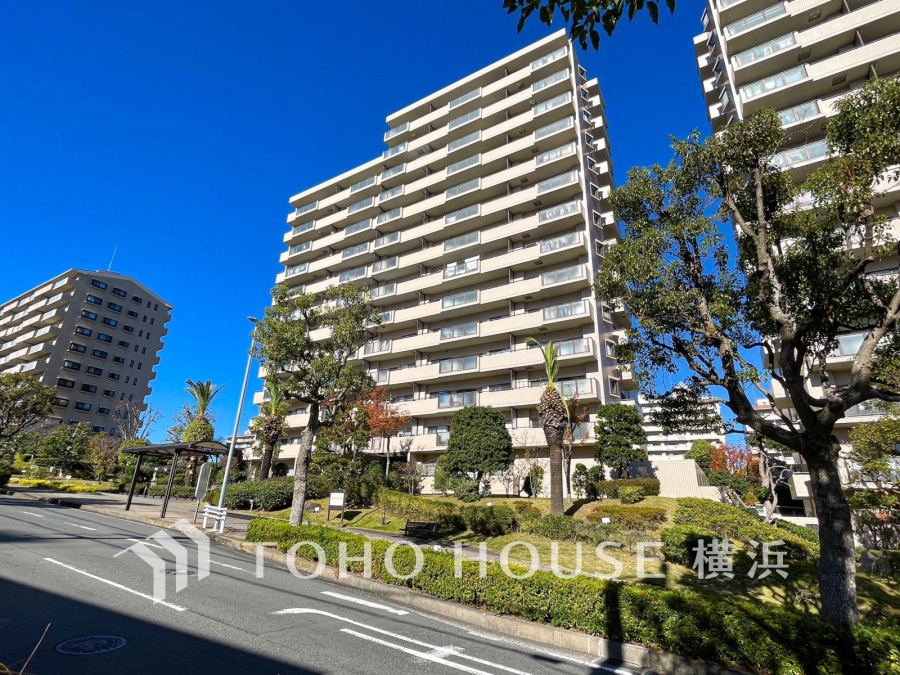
(94, 336)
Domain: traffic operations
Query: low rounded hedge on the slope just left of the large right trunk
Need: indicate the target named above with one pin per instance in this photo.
(730, 522)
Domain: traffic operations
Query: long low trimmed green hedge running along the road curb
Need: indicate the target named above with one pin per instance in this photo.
(746, 632)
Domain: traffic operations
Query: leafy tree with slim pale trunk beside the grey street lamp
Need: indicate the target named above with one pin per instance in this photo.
(314, 345)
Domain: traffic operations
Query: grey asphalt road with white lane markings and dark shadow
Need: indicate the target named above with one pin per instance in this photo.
(59, 566)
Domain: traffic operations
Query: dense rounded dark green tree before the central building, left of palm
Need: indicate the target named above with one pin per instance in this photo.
(479, 442)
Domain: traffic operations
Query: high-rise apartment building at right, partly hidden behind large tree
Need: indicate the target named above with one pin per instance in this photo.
(799, 57)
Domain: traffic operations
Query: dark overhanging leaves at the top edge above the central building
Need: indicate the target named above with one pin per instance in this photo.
(583, 16)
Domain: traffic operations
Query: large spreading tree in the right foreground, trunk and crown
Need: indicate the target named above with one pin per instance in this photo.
(800, 277)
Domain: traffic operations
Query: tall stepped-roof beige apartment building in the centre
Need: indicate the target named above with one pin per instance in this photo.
(483, 222)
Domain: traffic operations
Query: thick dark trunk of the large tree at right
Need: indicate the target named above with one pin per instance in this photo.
(837, 559)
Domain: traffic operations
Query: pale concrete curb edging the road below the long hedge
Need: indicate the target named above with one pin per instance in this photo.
(631, 655)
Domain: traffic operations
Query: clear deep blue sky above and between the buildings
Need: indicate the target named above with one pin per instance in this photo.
(178, 131)
